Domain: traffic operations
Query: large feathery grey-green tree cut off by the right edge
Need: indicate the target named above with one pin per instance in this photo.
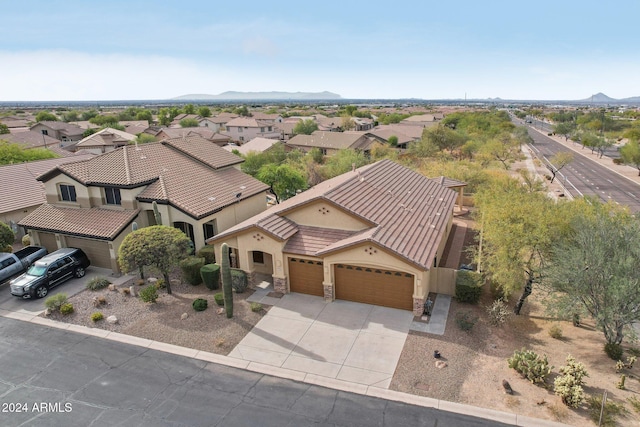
(594, 268)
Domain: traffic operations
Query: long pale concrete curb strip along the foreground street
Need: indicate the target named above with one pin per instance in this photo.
(332, 383)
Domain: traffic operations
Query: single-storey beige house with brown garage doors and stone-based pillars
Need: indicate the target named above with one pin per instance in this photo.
(373, 235)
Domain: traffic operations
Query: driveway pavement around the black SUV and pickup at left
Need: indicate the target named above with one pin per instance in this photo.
(71, 287)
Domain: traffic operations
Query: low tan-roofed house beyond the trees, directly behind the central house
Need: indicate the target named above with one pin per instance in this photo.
(331, 142)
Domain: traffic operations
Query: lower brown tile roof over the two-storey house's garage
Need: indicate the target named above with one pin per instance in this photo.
(98, 223)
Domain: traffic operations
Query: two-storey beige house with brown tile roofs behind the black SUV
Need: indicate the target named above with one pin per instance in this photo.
(92, 204)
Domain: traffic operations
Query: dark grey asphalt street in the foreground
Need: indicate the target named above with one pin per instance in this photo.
(59, 378)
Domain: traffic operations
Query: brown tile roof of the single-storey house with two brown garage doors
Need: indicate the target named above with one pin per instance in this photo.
(408, 212)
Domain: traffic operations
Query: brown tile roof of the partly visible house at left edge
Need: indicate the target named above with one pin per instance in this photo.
(20, 189)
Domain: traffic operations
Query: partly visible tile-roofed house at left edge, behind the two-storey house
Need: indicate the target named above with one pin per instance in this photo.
(21, 192)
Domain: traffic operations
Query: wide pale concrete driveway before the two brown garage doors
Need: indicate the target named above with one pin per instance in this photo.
(349, 341)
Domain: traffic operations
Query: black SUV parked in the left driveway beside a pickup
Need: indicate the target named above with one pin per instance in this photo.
(49, 272)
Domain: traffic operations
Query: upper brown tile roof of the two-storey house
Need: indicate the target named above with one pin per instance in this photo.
(192, 174)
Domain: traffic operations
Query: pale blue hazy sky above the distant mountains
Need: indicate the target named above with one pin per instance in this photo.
(106, 50)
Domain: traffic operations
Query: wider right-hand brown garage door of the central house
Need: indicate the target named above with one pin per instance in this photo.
(374, 286)
